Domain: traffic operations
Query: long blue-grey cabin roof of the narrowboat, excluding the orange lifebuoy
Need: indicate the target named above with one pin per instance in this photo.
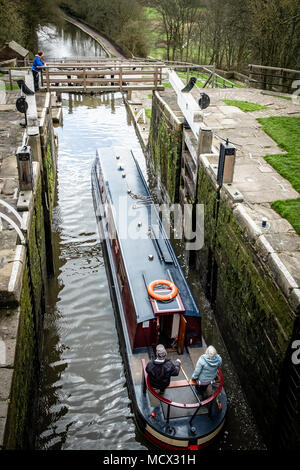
(146, 251)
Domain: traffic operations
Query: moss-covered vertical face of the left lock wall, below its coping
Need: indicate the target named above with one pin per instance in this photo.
(21, 411)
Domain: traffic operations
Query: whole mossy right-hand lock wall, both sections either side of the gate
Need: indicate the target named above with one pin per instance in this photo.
(257, 321)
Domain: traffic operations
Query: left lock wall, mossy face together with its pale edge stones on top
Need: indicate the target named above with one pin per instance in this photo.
(21, 314)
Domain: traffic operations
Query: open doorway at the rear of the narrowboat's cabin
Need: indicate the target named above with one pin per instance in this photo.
(172, 331)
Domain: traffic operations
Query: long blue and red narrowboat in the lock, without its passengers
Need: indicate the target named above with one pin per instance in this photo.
(153, 304)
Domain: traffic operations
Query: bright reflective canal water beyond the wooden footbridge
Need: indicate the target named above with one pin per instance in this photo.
(67, 41)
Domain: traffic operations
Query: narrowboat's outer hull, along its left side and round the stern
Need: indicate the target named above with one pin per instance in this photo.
(177, 434)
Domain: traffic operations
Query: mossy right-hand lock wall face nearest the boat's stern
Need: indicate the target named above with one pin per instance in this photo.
(255, 318)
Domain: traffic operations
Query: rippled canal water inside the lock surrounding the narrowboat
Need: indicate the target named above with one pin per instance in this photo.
(83, 398)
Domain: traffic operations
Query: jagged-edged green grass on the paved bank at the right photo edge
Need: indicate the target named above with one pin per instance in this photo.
(285, 131)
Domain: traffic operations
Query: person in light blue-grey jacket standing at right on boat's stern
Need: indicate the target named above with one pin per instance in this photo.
(207, 368)
